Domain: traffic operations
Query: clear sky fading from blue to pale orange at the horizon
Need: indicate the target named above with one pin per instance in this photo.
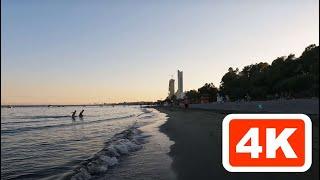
(82, 52)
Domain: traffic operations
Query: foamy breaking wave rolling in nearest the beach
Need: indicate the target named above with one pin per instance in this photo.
(121, 144)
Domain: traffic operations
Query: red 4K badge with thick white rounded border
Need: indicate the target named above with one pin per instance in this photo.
(267, 143)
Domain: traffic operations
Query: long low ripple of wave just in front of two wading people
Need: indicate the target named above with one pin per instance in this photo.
(24, 129)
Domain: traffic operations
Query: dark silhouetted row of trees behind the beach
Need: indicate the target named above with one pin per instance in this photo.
(285, 77)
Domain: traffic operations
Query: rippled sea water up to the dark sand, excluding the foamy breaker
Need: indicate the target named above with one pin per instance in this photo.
(46, 143)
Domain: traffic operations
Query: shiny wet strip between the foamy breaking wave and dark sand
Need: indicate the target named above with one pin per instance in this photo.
(152, 161)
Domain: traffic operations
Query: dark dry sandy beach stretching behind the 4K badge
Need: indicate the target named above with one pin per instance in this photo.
(196, 151)
